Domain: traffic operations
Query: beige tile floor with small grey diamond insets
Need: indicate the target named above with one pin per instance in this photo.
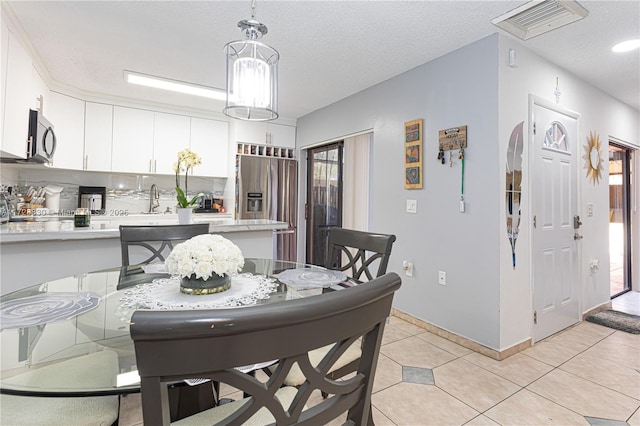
(586, 375)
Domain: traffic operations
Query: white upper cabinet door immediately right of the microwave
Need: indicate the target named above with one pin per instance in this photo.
(67, 116)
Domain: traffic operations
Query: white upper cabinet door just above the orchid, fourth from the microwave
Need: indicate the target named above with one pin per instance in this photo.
(171, 134)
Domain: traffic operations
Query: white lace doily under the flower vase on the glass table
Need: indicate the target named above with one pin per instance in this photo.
(164, 294)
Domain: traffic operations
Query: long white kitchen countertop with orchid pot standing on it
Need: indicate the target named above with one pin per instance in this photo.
(102, 227)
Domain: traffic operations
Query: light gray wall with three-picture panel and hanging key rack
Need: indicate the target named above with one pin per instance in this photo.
(460, 88)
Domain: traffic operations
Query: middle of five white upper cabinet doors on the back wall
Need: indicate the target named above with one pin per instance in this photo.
(132, 150)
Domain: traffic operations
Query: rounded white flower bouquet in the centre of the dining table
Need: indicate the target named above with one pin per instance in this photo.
(203, 256)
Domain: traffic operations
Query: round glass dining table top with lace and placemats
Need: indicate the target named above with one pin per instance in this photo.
(70, 337)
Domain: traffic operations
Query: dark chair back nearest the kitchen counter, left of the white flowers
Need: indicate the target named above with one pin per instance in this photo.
(157, 240)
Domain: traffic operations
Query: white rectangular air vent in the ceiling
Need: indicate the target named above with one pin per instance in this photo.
(539, 16)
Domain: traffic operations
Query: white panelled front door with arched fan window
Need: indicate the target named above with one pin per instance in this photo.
(554, 204)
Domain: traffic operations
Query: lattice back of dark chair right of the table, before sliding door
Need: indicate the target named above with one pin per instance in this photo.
(357, 253)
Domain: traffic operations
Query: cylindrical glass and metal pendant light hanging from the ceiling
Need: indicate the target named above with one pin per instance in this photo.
(252, 74)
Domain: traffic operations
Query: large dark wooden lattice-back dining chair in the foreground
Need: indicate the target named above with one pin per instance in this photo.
(177, 345)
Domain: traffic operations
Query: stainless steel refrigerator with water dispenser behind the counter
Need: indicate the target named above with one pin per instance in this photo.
(268, 189)
